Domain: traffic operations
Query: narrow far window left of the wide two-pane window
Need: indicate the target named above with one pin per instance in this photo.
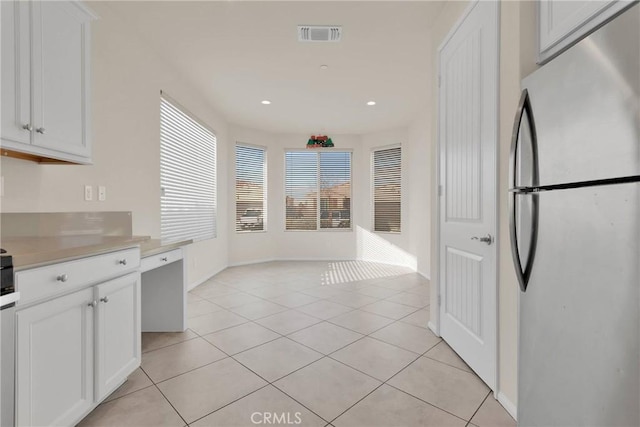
(251, 213)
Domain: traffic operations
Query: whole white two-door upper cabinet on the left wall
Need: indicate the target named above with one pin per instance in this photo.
(45, 66)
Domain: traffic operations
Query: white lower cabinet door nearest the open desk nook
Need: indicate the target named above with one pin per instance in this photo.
(118, 333)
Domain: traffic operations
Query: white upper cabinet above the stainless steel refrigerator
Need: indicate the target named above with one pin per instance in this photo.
(561, 23)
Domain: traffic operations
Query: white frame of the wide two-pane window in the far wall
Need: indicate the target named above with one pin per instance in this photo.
(318, 207)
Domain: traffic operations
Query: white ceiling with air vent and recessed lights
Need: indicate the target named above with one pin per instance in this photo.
(238, 53)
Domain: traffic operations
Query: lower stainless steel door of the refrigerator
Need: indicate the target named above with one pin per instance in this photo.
(579, 353)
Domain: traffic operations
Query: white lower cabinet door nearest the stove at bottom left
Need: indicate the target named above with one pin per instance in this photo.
(54, 361)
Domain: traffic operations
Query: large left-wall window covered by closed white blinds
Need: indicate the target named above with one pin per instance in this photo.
(187, 176)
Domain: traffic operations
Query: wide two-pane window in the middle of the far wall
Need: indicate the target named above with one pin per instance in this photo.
(318, 190)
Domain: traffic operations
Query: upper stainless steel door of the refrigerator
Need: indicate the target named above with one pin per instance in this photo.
(586, 105)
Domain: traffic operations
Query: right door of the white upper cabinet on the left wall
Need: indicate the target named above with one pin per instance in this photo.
(60, 72)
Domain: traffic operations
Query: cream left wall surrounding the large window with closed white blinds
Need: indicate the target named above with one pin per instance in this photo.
(127, 78)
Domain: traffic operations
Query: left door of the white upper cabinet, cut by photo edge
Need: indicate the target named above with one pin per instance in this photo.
(15, 66)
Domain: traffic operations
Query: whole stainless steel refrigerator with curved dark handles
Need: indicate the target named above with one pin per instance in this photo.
(575, 230)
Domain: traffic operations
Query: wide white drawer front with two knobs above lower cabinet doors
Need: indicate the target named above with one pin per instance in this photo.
(52, 280)
